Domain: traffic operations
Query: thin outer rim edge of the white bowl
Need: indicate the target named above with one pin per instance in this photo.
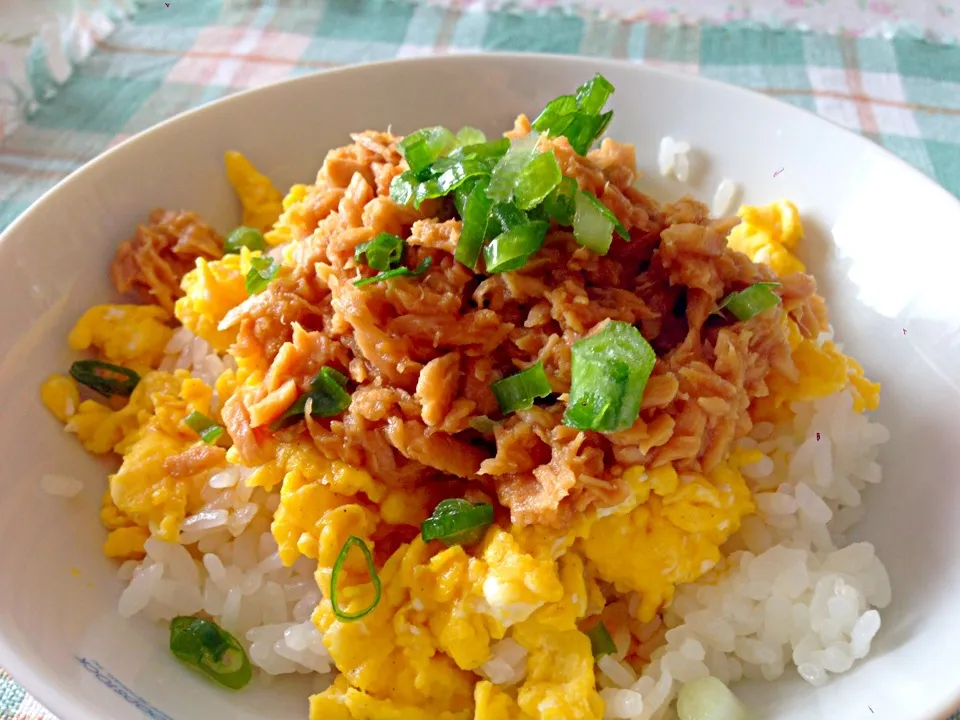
(49, 694)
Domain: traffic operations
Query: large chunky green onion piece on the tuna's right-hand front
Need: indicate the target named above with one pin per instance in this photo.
(609, 372)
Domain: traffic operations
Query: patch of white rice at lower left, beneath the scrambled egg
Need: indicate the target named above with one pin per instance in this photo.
(240, 581)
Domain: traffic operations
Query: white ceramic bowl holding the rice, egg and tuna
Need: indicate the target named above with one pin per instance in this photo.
(882, 243)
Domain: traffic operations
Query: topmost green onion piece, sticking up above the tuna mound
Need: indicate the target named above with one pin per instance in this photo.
(578, 117)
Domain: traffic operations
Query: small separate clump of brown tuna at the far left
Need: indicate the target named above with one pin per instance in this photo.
(161, 252)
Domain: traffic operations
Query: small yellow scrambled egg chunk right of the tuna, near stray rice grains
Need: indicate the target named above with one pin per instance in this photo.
(768, 235)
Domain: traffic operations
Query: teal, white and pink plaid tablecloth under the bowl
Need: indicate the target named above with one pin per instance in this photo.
(903, 93)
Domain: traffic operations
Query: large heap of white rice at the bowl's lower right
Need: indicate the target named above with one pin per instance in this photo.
(791, 593)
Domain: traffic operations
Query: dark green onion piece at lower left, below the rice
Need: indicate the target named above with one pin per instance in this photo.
(205, 646)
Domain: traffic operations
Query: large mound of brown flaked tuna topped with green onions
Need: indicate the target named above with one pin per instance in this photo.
(422, 352)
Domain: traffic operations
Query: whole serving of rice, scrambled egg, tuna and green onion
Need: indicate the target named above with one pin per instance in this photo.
(474, 428)
